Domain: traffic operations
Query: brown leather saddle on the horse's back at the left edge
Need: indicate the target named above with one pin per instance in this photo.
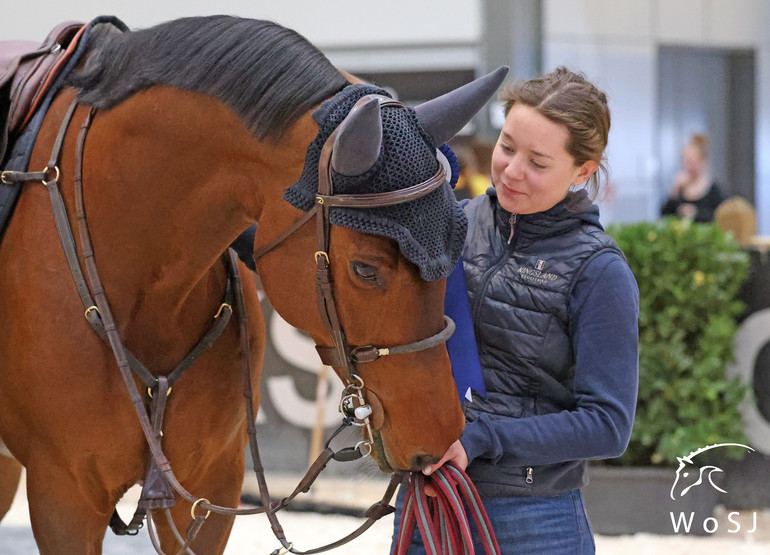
(27, 71)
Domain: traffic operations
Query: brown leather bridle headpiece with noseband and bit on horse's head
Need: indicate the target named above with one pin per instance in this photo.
(341, 354)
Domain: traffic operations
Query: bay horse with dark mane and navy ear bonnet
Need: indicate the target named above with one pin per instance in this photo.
(184, 135)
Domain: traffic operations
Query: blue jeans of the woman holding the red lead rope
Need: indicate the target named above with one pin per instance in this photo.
(555, 525)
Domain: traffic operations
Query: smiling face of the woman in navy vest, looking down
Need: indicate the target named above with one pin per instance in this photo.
(531, 168)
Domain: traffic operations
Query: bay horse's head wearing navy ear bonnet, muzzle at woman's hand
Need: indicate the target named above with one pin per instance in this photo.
(388, 265)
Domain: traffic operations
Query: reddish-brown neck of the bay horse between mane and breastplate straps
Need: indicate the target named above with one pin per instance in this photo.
(170, 180)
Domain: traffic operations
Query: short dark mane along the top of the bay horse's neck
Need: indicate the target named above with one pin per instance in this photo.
(267, 74)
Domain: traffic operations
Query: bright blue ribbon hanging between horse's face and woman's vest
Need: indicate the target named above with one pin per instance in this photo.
(463, 353)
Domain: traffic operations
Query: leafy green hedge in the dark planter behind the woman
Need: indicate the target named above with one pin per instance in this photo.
(688, 276)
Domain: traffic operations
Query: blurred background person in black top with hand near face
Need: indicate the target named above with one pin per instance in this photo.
(694, 194)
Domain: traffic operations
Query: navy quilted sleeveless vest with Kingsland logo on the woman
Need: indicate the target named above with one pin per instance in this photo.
(520, 270)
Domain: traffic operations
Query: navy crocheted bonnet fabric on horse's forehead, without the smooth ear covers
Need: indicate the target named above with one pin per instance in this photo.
(430, 230)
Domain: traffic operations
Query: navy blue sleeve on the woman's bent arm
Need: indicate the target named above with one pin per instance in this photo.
(603, 312)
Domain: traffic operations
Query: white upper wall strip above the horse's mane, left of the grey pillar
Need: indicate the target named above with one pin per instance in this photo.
(329, 23)
